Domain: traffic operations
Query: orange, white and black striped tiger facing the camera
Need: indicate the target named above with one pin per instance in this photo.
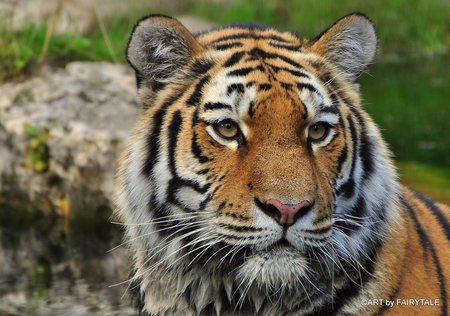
(254, 183)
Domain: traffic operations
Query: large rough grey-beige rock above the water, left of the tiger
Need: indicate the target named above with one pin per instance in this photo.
(88, 109)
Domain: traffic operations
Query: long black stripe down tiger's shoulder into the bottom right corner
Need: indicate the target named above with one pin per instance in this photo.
(427, 244)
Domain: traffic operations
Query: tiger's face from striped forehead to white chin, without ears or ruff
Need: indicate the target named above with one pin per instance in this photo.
(263, 137)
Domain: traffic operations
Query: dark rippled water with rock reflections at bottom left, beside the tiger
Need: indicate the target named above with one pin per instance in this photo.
(50, 266)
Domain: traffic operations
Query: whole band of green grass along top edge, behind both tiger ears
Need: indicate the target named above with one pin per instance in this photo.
(403, 26)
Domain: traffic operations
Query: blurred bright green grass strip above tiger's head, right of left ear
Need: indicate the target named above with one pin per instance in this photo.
(402, 25)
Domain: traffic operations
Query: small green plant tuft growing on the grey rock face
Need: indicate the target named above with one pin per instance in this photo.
(37, 150)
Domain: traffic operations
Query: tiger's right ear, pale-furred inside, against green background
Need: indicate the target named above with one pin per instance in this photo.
(351, 44)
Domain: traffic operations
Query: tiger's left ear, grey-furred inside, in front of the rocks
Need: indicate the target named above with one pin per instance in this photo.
(159, 46)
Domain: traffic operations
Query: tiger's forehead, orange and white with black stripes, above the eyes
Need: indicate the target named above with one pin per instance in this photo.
(248, 79)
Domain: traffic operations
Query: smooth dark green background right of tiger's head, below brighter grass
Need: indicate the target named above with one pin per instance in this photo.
(410, 103)
